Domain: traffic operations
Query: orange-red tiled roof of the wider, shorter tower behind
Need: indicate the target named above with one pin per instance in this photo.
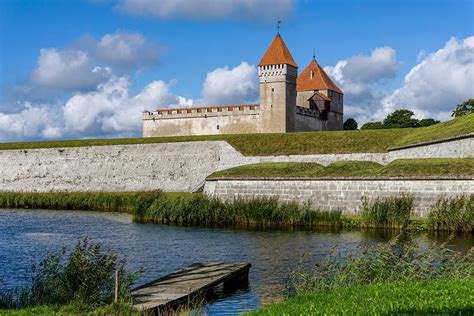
(319, 81)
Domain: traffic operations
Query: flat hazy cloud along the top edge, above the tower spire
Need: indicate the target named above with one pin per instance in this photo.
(267, 10)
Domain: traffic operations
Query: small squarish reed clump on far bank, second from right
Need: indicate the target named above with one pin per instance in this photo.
(393, 212)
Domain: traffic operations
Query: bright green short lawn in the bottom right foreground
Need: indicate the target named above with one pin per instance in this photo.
(428, 297)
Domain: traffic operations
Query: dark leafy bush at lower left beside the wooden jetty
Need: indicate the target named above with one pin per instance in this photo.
(85, 278)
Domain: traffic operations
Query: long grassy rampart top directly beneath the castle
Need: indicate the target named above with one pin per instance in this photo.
(372, 141)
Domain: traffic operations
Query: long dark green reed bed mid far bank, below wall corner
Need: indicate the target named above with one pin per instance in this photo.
(198, 209)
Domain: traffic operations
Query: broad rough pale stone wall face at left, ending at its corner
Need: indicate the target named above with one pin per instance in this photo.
(171, 167)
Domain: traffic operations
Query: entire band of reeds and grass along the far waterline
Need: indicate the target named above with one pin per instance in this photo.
(455, 214)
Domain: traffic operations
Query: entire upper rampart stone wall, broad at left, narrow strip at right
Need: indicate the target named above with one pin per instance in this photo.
(166, 166)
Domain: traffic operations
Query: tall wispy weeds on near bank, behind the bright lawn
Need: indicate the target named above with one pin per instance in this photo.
(394, 261)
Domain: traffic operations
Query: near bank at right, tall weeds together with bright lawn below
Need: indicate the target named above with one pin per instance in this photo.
(398, 277)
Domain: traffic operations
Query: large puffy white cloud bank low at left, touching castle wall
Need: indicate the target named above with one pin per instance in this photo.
(109, 111)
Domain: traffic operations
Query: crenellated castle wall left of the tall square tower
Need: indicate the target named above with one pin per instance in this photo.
(202, 121)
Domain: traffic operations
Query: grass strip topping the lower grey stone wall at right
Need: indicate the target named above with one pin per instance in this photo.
(430, 167)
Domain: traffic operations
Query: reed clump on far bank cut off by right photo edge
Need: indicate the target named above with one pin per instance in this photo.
(456, 214)
